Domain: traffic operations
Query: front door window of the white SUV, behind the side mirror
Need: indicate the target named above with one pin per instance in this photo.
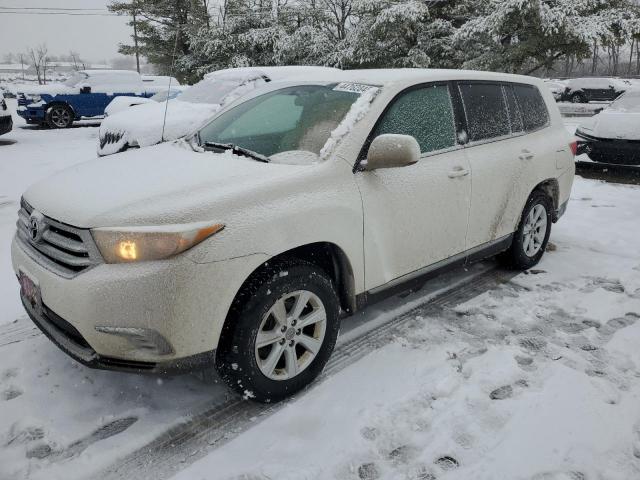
(425, 113)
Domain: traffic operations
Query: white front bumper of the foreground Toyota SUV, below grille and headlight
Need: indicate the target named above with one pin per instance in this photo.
(184, 302)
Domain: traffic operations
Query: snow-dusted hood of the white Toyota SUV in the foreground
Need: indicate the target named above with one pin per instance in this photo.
(164, 184)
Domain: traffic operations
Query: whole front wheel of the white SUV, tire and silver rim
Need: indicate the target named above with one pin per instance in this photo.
(280, 332)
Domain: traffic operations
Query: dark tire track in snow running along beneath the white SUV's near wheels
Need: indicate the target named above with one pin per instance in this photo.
(203, 432)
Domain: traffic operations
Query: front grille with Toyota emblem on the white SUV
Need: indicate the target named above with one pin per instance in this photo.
(61, 248)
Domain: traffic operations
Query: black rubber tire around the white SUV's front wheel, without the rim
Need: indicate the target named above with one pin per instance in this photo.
(237, 357)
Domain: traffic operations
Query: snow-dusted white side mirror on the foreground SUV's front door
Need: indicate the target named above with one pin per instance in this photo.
(391, 150)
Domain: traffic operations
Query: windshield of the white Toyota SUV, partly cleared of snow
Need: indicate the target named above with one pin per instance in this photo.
(292, 118)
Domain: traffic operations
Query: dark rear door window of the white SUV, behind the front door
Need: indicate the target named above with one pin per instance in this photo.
(486, 110)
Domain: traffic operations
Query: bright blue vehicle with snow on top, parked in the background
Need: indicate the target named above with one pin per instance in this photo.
(85, 95)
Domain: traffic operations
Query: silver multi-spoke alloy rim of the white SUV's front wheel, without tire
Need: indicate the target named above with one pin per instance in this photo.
(290, 335)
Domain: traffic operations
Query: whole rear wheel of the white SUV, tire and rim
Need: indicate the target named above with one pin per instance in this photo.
(531, 238)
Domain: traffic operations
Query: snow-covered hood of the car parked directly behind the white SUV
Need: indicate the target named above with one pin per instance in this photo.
(142, 125)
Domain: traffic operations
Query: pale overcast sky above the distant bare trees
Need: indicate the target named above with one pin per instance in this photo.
(95, 38)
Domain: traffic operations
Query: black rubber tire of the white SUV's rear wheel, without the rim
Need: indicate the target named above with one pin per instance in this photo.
(516, 257)
